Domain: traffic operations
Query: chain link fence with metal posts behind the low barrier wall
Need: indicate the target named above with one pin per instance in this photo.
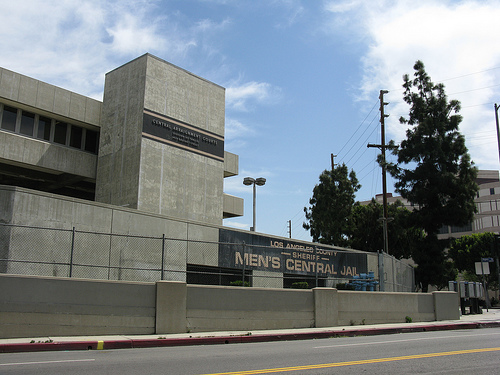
(60, 252)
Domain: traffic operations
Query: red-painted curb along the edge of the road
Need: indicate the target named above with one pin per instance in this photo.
(192, 341)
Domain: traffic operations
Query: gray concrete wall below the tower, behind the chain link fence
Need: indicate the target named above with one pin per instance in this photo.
(33, 208)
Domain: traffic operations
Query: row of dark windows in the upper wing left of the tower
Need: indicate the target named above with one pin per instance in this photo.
(37, 126)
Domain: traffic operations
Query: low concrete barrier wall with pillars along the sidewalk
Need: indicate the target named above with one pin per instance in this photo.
(34, 306)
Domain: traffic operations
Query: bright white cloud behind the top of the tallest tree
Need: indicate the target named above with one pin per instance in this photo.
(455, 40)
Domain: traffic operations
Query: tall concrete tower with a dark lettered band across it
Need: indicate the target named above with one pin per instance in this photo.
(162, 141)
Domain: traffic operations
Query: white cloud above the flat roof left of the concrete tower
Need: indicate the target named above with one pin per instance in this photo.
(74, 43)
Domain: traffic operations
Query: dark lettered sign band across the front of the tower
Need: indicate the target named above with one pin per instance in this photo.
(178, 134)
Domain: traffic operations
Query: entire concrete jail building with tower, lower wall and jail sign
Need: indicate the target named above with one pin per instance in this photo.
(131, 188)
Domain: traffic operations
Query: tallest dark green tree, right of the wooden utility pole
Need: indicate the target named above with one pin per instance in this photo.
(433, 170)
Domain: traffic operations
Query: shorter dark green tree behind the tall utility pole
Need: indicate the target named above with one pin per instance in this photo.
(366, 229)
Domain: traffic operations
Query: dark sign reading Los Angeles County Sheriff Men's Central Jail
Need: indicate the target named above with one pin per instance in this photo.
(256, 252)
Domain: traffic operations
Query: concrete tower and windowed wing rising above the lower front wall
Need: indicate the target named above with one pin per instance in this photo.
(155, 143)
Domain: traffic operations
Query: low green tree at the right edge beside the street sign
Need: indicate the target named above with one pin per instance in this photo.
(467, 250)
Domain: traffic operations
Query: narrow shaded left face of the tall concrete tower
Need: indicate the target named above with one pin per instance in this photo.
(120, 138)
